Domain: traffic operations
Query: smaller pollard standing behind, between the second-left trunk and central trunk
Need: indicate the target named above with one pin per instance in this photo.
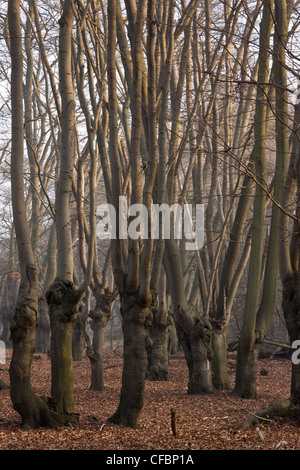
(89, 75)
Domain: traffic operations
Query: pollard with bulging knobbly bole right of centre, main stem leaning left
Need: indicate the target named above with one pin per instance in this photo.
(193, 331)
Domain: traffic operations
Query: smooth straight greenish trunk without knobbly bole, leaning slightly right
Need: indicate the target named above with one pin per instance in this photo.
(248, 343)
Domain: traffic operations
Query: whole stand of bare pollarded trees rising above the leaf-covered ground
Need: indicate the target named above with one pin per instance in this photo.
(171, 102)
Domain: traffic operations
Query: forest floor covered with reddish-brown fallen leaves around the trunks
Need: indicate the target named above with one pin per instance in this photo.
(207, 422)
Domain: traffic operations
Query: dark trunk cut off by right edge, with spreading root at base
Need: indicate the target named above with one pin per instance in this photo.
(287, 140)
